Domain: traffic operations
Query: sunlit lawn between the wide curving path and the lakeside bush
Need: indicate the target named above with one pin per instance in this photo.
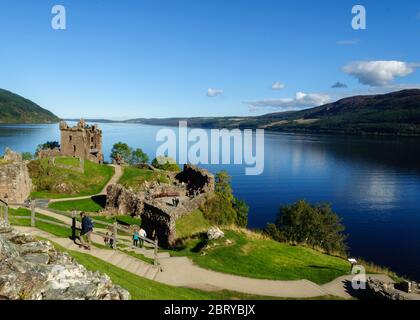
(256, 257)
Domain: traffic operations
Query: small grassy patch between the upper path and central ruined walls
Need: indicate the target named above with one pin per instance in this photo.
(134, 177)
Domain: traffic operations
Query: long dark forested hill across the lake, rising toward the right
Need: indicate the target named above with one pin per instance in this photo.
(396, 113)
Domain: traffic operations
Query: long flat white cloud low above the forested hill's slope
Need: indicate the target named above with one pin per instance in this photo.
(300, 101)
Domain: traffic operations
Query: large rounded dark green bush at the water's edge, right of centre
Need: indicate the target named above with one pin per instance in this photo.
(317, 226)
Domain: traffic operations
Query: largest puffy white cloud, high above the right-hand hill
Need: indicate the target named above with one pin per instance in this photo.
(378, 73)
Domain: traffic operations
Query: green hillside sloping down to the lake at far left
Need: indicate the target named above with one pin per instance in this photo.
(16, 109)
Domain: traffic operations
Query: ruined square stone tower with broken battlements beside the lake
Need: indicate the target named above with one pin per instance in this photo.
(81, 141)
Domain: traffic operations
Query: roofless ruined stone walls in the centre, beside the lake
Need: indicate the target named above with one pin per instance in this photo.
(192, 187)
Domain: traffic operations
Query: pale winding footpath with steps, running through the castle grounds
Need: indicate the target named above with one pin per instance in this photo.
(181, 272)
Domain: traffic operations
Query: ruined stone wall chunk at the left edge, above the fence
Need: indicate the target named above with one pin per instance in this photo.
(15, 182)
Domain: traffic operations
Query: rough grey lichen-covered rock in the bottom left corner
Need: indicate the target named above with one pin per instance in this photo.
(34, 270)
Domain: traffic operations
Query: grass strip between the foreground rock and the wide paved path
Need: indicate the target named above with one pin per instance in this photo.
(145, 289)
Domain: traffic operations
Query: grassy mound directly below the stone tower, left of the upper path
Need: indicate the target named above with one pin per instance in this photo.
(52, 182)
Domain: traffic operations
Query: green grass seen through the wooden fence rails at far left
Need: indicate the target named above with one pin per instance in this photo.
(53, 229)
